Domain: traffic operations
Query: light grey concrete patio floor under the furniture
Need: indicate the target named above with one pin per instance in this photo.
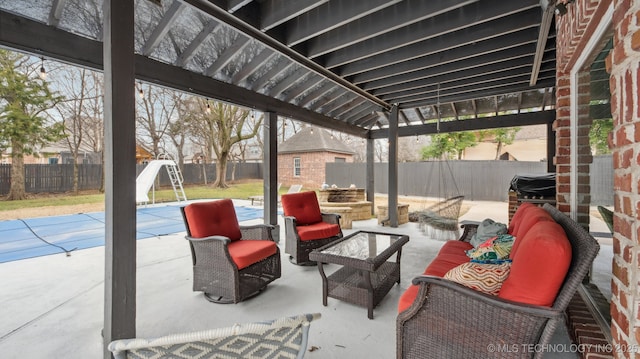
(52, 306)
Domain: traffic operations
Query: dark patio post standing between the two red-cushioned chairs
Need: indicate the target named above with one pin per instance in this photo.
(270, 164)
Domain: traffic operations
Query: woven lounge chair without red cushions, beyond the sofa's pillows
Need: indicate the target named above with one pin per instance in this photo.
(440, 221)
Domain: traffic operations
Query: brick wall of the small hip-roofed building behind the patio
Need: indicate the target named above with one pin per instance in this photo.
(312, 170)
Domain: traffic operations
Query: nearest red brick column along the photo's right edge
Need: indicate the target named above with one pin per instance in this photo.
(625, 107)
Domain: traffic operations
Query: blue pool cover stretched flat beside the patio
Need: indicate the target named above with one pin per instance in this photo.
(34, 237)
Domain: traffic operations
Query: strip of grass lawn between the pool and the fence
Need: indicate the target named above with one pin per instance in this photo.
(239, 190)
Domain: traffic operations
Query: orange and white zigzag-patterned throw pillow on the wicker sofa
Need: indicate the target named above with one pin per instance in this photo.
(483, 277)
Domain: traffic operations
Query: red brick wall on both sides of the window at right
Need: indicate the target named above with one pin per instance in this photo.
(623, 62)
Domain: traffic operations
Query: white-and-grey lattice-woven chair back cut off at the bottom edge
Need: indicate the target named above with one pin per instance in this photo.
(282, 338)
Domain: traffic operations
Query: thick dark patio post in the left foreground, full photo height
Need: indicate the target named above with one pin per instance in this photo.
(120, 173)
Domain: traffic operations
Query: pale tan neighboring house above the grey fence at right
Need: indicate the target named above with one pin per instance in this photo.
(530, 144)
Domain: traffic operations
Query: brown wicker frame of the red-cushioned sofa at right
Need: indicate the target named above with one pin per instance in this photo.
(449, 320)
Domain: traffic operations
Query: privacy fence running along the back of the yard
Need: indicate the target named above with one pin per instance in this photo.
(476, 180)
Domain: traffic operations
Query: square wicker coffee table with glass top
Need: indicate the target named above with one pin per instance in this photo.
(366, 275)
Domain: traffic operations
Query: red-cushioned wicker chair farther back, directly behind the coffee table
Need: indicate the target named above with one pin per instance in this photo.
(306, 228)
